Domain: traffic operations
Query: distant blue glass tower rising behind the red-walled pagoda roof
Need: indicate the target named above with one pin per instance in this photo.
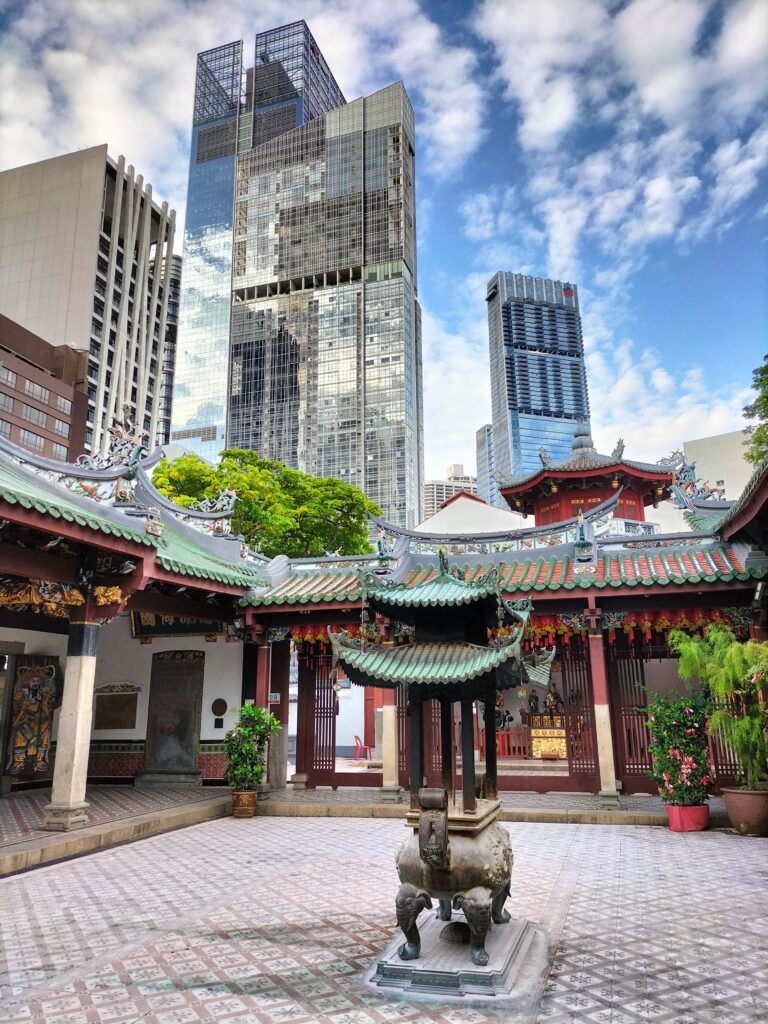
(538, 378)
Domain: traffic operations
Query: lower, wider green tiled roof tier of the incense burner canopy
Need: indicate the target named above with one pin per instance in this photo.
(429, 664)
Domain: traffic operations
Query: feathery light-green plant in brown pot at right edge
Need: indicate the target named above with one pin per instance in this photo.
(737, 674)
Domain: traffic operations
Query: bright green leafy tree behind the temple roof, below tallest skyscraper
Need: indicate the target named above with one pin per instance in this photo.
(279, 511)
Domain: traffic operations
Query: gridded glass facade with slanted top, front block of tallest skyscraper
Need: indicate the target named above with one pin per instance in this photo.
(326, 358)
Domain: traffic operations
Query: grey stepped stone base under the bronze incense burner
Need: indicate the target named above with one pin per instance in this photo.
(519, 961)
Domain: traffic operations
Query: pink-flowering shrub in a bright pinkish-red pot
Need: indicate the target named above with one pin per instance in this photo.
(677, 723)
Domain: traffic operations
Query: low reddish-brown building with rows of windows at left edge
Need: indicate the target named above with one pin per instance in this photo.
(44, 403)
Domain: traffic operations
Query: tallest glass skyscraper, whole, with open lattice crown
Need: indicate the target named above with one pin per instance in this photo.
(318, 361)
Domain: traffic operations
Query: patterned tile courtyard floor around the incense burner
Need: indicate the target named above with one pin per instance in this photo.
(276, 920)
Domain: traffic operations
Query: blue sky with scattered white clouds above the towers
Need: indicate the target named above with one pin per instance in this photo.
(619, 144)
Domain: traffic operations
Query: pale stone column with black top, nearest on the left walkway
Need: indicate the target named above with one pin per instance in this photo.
(68, 807)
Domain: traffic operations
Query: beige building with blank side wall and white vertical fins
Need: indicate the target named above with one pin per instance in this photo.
(80, 236)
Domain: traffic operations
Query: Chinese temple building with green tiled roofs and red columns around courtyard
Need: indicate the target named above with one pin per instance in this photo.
(132, 630)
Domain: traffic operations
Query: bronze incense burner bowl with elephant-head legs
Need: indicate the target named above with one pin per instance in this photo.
(463, 862)
